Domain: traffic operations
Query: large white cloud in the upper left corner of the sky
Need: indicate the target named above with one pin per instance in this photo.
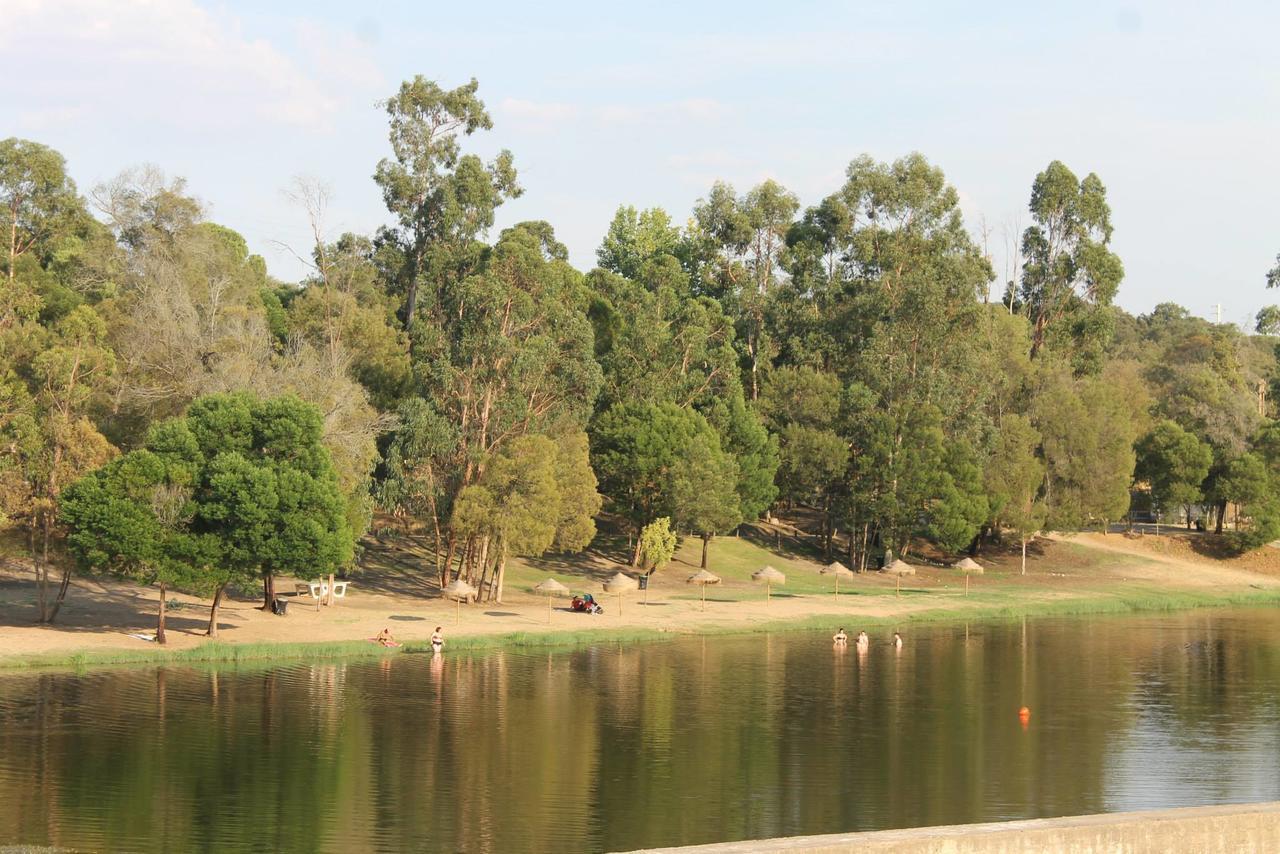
(162, 62)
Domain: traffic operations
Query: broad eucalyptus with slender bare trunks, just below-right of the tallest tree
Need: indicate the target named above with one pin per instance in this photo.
(509, 353)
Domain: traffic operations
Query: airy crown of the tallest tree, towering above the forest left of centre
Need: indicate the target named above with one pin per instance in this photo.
(441, 198)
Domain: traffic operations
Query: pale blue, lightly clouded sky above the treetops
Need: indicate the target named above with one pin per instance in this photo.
(1174, 106)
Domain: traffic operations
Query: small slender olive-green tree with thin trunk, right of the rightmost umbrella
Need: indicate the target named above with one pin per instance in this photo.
(1014, 478)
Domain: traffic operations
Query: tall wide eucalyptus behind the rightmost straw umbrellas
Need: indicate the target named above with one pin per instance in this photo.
(908, 358)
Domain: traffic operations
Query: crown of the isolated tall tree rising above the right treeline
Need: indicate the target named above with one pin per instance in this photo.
(1068, 267)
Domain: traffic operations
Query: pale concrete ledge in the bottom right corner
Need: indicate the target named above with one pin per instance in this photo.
(1208, 830)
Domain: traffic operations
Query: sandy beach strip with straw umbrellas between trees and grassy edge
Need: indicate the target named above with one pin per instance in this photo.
(1090, 572)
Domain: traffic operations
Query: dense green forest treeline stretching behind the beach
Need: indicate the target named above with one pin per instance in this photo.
(842, 355)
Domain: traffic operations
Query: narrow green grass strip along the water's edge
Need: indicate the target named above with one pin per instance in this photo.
(1094, 604)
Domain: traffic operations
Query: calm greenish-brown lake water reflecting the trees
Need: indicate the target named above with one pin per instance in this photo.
(615, 748)
